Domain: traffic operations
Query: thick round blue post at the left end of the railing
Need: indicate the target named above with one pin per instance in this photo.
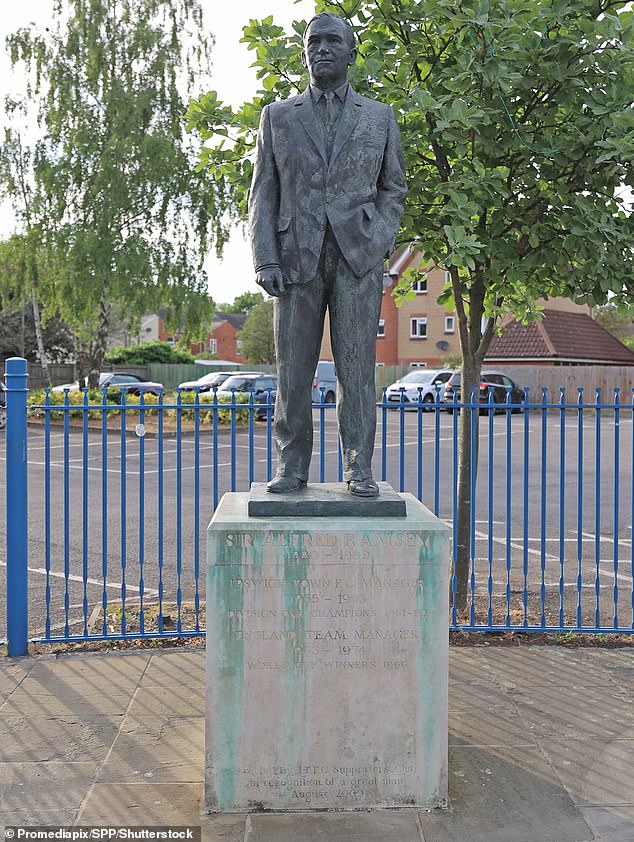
(16, 484)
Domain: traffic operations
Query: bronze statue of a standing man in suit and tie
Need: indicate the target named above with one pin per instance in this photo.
(325, 205)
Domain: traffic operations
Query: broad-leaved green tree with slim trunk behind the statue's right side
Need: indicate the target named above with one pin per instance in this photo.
(518, 131)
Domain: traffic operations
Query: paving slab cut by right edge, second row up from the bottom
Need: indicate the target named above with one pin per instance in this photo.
(595, 772)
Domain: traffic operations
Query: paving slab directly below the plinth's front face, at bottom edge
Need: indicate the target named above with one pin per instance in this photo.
(335, 827)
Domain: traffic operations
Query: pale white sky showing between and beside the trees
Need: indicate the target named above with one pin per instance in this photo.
(232, 77)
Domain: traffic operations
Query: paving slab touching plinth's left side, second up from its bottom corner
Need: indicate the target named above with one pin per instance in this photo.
(157, 750)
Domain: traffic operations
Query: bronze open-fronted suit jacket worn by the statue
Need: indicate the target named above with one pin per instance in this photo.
(296, 189)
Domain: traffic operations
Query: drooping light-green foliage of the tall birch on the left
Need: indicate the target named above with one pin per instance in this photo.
(124, 203)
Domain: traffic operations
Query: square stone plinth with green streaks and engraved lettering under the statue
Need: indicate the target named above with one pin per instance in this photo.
(327, 647)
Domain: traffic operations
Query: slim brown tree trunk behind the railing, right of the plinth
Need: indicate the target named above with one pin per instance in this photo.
(468, 428)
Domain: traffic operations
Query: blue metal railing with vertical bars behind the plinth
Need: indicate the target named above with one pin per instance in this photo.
(120, 495)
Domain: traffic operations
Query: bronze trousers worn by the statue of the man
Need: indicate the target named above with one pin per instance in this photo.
(354, 306)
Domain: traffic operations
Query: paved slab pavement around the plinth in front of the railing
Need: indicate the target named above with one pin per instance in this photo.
(541, 749)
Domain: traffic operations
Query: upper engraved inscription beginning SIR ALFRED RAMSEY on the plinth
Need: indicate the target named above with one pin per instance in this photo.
(375, 618)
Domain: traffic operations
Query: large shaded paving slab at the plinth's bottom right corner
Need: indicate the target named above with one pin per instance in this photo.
(504, 794)
